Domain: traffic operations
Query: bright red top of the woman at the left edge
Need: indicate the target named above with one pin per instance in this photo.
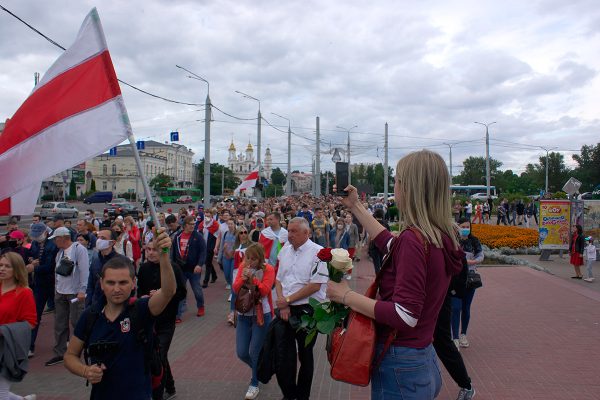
(17, 305)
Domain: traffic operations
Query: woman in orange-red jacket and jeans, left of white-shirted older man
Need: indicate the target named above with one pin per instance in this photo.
(252, 326)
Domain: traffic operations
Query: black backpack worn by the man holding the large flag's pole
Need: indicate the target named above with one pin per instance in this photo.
(152, 359)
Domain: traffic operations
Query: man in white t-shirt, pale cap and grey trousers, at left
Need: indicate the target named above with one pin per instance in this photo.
(70, 289)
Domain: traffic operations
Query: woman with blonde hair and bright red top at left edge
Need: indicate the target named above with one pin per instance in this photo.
(16, 305)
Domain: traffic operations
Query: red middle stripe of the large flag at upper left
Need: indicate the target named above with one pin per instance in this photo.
(76, 90)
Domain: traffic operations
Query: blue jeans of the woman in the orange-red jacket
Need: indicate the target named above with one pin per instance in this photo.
(249, 338)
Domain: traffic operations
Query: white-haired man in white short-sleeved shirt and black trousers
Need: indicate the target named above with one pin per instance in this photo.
(295, 284)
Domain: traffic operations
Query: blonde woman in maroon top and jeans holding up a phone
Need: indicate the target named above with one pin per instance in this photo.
(413, 283)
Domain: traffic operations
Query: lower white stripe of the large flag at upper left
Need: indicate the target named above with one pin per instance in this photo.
(70, 142)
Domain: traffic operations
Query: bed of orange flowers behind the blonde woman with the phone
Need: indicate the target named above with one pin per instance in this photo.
(497, 236)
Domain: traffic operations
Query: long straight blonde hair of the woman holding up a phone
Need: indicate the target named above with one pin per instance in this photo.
(424, 186)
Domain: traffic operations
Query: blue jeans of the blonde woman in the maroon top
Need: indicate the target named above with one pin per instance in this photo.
(406, 374)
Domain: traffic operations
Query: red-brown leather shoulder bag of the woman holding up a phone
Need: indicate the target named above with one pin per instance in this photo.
(351, 349)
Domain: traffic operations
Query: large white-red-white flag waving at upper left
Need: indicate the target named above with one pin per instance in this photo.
(75, 113)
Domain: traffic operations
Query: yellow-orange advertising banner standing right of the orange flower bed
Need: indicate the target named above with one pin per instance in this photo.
(555, 223)
